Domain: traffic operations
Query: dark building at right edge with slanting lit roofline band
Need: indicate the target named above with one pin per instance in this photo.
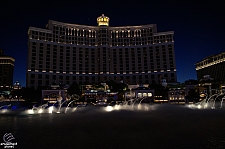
(214, 66)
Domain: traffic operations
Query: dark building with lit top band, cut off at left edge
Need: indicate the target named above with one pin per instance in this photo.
(6, 71)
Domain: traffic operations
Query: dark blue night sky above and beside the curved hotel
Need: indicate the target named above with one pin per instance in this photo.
(198, 25)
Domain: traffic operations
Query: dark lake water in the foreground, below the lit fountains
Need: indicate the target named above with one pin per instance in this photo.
(167, 126)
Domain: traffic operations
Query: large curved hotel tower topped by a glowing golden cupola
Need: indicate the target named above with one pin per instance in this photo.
(64, 53)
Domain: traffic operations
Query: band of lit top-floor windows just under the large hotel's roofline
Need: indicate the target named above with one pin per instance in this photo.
(84, 36)
